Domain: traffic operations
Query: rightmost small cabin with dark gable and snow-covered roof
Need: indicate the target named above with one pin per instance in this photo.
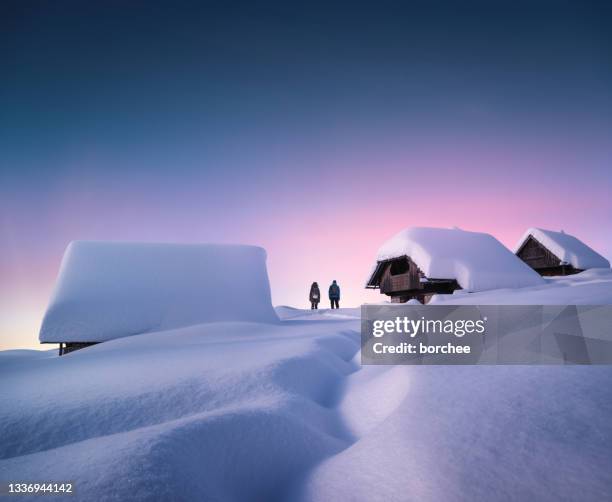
(557, 253)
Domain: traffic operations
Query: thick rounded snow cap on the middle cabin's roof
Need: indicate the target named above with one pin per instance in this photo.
(477, 261)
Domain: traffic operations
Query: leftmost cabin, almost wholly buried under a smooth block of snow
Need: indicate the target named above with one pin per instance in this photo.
(108, 290)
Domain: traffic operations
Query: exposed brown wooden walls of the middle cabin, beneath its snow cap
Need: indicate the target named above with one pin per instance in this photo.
(402, 280)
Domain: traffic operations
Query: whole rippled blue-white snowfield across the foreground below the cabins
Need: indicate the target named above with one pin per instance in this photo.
(237, 411)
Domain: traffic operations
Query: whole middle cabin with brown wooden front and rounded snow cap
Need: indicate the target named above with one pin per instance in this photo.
(419, 262)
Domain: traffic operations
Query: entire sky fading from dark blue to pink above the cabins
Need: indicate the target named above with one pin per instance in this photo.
(316, 131)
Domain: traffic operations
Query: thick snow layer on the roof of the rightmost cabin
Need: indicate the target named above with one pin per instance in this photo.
(566, 247)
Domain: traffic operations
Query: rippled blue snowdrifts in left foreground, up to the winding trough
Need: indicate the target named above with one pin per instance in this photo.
(222, 411)
